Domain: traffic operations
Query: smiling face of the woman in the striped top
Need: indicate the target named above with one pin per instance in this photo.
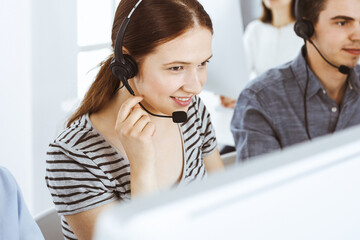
(175, 72)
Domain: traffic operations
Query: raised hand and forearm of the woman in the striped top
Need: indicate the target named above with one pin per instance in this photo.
(136, 131)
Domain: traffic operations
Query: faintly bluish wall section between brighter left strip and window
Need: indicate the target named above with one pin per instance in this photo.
(54, 80)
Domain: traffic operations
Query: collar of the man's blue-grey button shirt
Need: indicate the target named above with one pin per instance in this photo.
(314, 86)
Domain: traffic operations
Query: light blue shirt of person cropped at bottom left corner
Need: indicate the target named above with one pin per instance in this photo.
(15, 220)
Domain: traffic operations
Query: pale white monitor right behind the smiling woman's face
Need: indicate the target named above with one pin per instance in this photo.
(227, 71)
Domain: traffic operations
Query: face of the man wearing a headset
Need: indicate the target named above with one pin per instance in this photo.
(337, 32)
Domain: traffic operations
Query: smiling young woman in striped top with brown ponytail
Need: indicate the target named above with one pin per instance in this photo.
(112, 149)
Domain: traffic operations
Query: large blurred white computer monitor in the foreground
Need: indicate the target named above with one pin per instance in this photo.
(309, 191)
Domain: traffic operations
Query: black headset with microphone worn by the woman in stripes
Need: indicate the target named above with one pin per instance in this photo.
(124, 67)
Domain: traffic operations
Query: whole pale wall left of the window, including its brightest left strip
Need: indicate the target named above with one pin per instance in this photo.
(38, 72)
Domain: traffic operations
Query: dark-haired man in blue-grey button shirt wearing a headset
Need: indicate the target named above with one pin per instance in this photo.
(317, 93)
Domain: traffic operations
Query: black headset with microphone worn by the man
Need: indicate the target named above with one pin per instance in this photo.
(304, 28)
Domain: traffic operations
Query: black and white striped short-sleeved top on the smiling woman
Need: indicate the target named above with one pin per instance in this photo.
(84, 171)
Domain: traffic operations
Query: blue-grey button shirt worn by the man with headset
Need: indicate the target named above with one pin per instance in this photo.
(269, 113)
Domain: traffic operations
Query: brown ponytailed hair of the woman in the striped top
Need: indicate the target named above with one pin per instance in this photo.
(152, 23)
